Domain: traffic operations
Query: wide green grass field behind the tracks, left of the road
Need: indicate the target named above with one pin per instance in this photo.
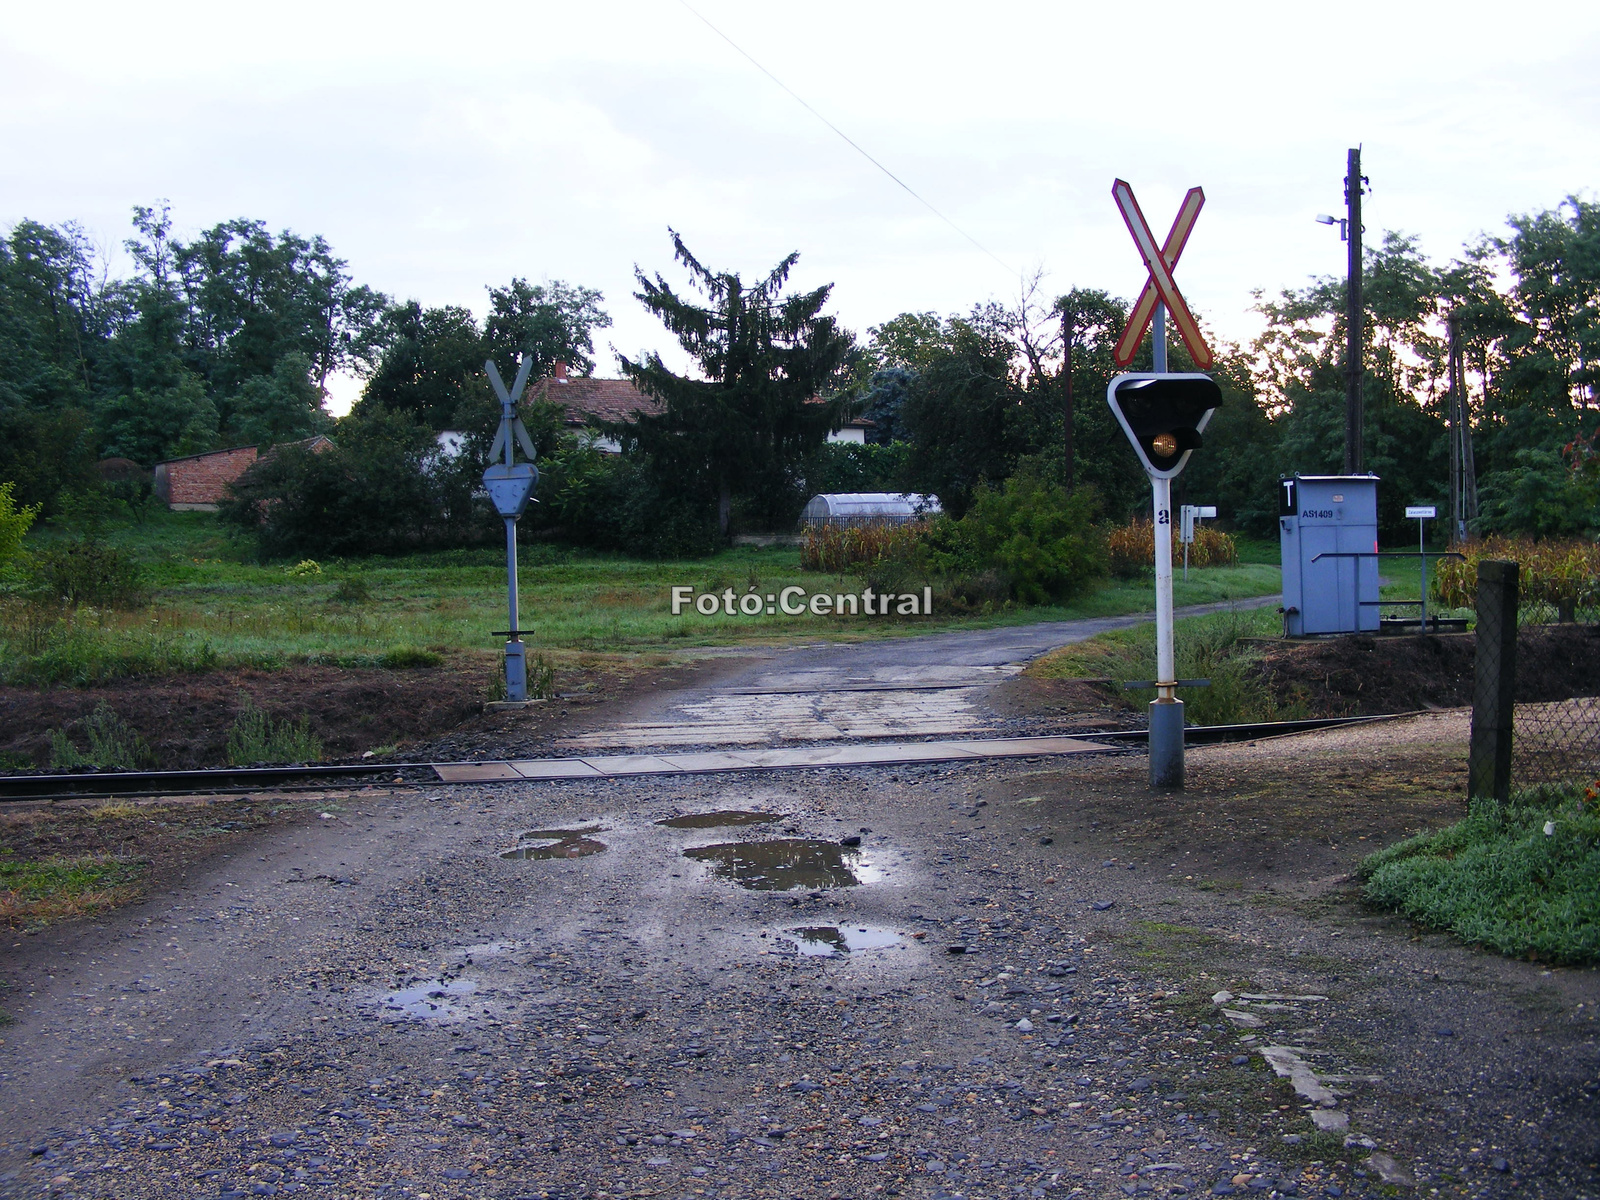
(214, 607)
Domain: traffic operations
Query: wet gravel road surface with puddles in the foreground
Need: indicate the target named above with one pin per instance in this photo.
(985, 994)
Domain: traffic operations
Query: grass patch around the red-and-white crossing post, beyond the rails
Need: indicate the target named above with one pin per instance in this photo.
(1207, 647)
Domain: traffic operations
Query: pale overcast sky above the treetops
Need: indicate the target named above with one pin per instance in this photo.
(442, 148)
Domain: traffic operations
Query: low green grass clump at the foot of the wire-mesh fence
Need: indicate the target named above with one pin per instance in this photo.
(1498, 881)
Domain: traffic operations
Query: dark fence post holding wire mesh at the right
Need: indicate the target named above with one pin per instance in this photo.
(1494, 682)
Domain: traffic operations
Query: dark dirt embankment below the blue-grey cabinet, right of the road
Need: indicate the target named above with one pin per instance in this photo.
(1366, 676)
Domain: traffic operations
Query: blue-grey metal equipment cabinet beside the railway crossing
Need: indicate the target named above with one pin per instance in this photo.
(1329, 535)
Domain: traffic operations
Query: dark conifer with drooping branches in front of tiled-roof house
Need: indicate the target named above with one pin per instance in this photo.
(767, 362)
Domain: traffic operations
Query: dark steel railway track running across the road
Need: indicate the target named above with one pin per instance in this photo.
(239, 780)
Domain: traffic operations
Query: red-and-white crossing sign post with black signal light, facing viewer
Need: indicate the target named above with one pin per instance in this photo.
(1164, 417)
